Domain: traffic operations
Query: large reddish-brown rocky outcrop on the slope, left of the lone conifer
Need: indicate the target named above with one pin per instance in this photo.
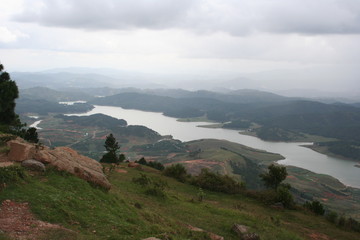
(63, 158)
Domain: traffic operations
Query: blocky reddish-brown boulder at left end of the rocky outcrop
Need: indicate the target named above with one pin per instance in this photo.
(20, 150)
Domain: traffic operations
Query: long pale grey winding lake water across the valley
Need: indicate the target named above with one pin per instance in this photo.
(294, 154)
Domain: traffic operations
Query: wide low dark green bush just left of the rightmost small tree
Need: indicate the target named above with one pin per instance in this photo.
(216, 182)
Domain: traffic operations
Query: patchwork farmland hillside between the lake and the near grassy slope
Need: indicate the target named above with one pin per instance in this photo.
(87, 134)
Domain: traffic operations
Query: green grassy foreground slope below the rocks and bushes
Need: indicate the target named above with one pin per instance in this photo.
(94, 214)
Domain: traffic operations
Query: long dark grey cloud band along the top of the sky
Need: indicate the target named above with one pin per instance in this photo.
(236, 17)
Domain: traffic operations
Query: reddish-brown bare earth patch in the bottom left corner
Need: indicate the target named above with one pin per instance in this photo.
(18, 222)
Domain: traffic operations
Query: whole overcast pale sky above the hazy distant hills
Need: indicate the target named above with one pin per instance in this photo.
(279, 44)
